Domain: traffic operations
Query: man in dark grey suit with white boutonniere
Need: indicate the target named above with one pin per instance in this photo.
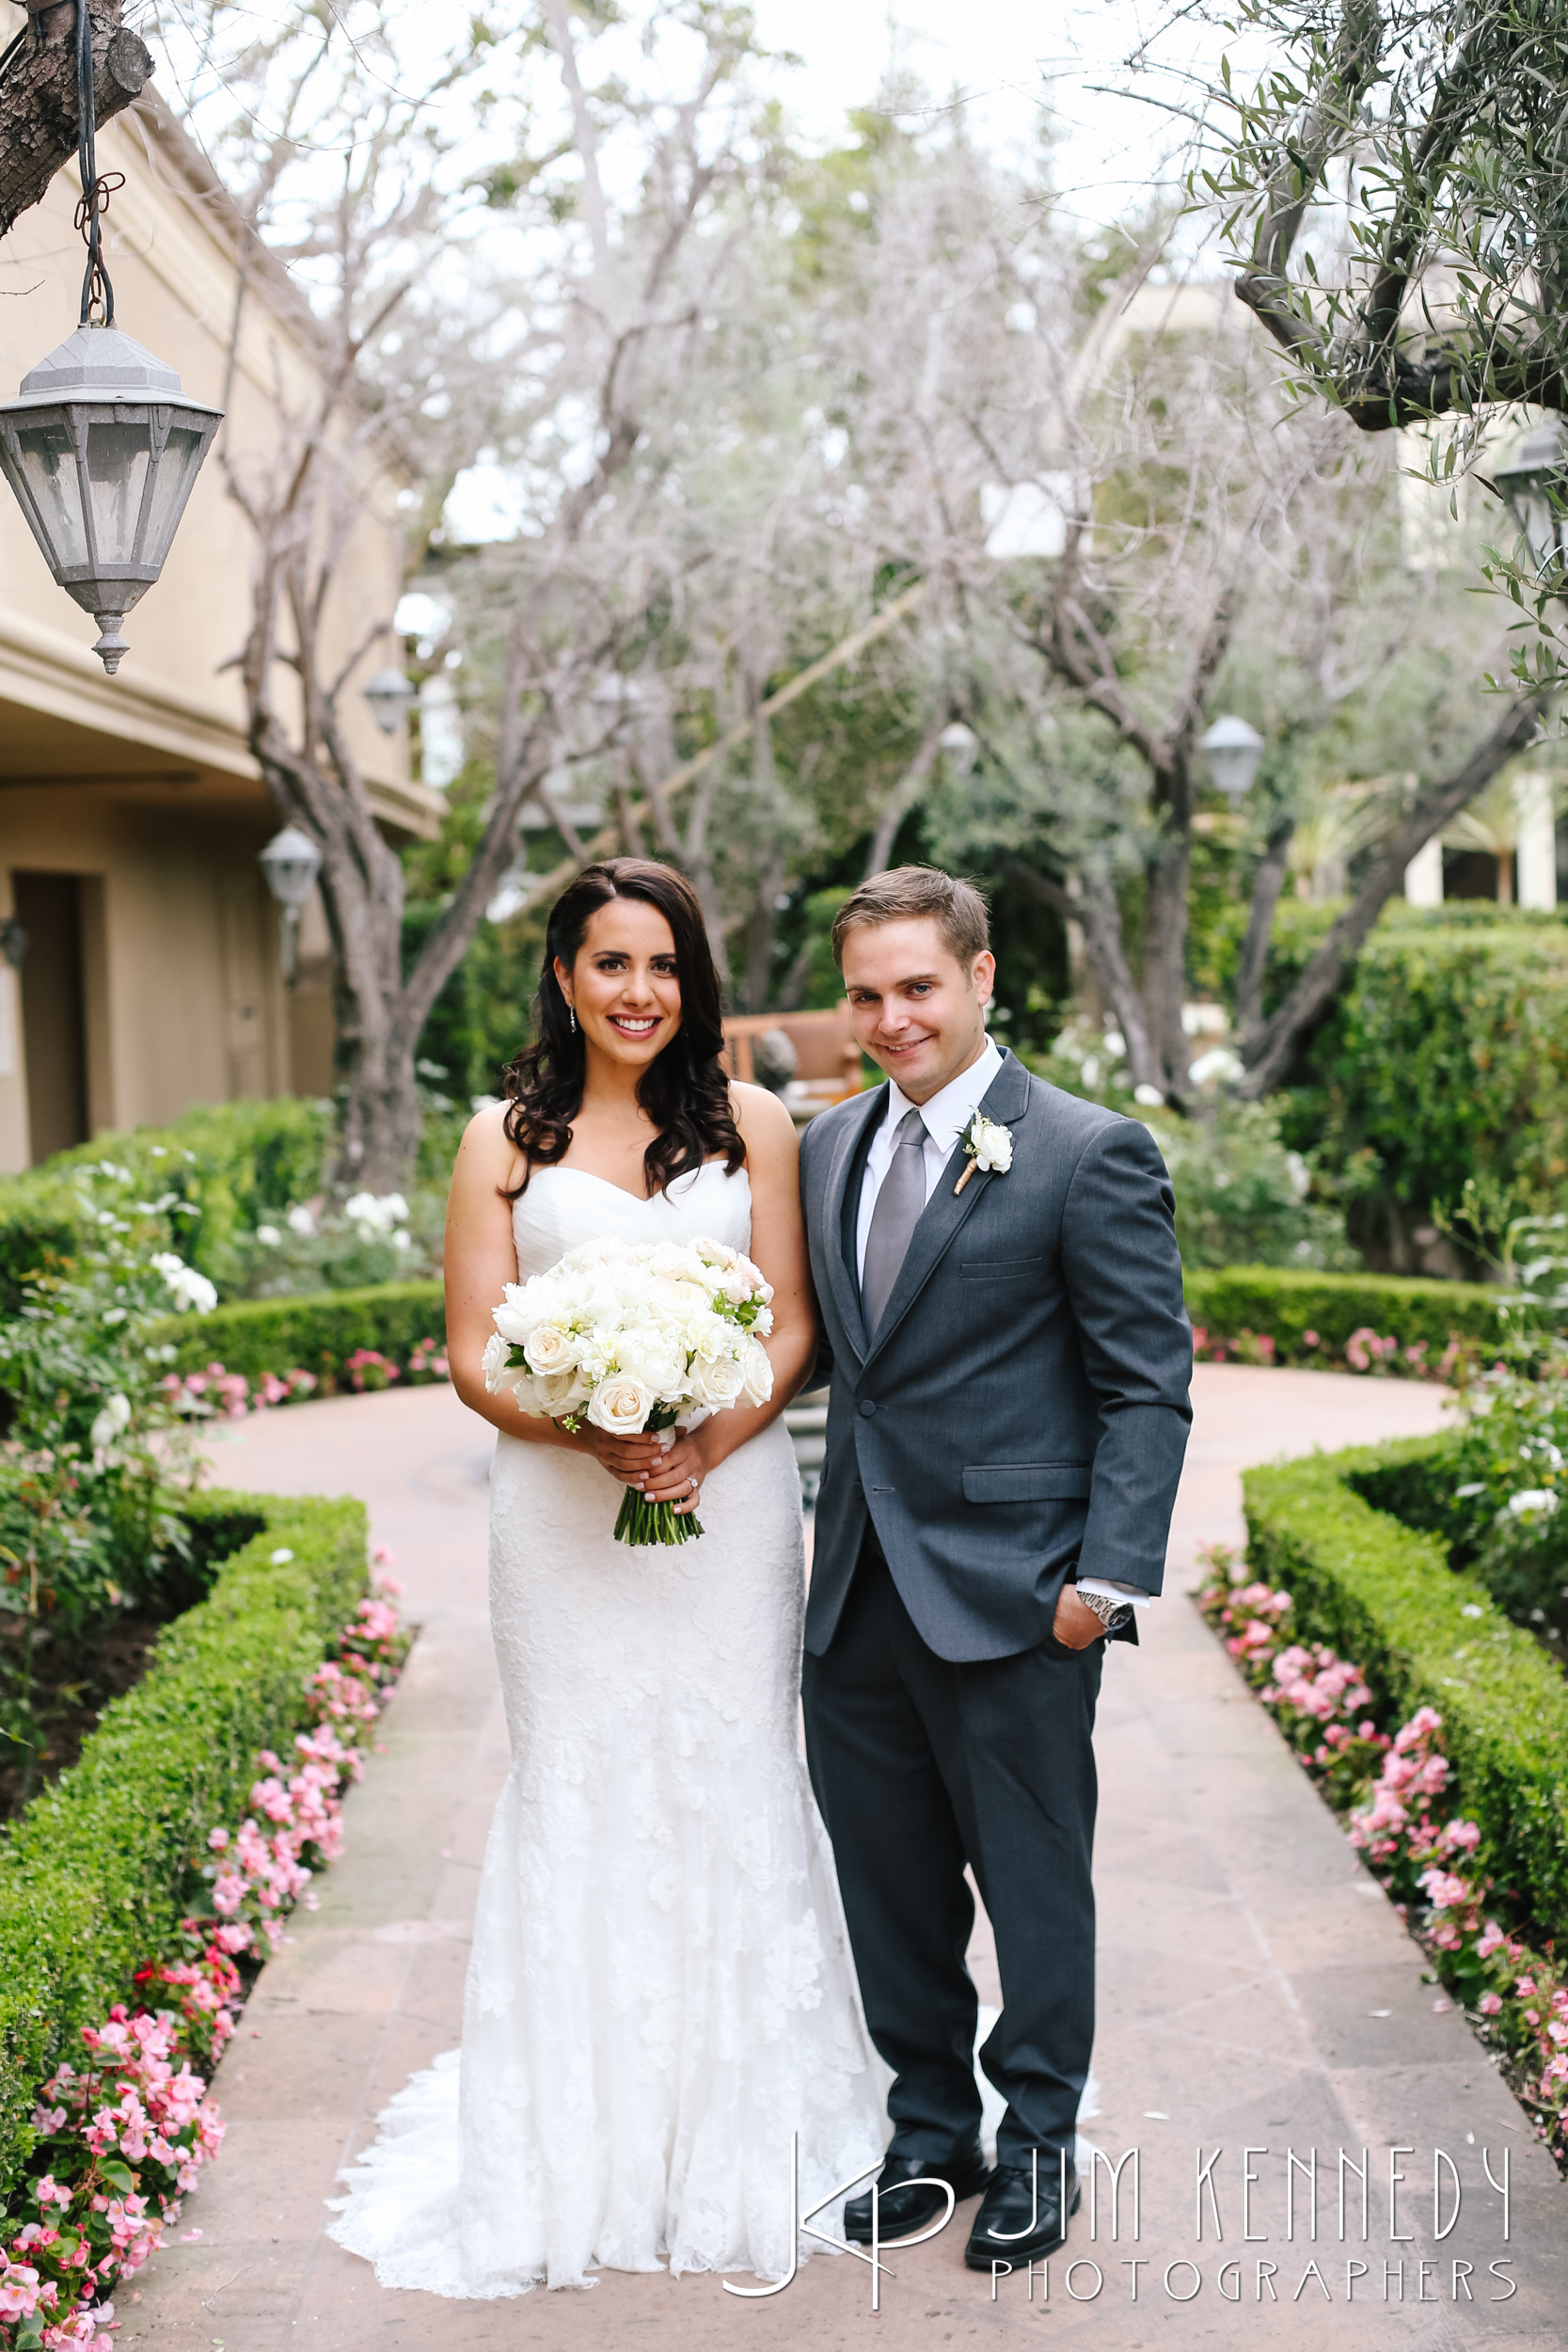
(1005, 1436)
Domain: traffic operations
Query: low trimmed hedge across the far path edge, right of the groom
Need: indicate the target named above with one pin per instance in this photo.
(1289, 1304)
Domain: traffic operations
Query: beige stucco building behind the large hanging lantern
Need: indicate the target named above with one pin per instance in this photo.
(130, 808)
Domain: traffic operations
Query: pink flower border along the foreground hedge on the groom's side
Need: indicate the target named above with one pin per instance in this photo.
(1398, 1793)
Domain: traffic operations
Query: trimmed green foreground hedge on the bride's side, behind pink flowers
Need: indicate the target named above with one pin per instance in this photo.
(91, 1873)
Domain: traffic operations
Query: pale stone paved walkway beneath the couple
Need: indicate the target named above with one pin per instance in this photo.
(1257, 1993)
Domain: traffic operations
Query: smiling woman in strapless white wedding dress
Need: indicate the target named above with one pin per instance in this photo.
(659, 1991)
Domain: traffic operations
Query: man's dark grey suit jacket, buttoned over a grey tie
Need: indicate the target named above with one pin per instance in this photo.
(1024, 1408)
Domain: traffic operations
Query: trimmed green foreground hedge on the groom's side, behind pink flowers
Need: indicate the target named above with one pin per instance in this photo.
(1383, 1596)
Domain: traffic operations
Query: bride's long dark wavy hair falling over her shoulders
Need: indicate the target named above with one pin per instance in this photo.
(685, 1090)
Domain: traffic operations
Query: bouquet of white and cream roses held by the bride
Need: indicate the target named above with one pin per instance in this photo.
(636, 1337)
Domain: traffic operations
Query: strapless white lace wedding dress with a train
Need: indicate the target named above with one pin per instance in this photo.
(659, 1991)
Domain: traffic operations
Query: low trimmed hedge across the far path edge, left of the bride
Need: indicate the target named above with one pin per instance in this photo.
(316, 1332)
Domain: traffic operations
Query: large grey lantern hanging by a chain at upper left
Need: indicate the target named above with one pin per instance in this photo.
(102, 446)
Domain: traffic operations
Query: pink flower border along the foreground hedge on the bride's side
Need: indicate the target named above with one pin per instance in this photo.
(126, 2127)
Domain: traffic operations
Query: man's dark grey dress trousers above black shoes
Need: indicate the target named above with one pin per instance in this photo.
(920, 1768)
